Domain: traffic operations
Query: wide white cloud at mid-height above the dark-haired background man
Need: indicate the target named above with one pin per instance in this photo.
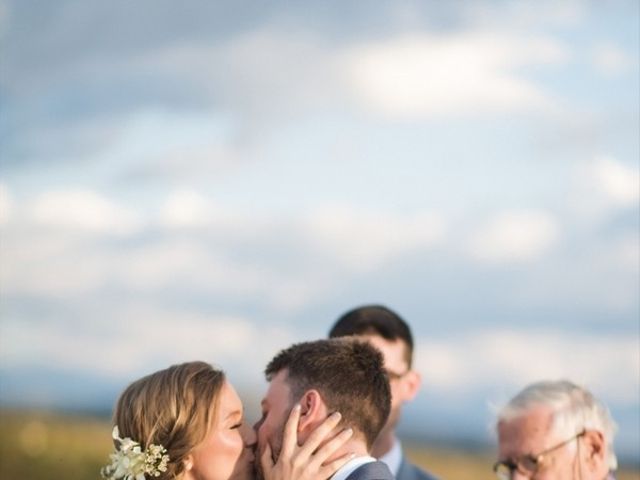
(366, 240)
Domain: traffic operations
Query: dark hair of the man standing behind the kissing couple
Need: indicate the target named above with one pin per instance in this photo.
(378, 320)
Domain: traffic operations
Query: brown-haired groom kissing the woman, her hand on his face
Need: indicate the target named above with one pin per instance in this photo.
(326, 376)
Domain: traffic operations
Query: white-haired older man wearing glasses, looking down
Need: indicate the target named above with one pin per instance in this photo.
(555, 430)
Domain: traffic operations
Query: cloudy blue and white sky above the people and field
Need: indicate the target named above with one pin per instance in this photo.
(217, 180)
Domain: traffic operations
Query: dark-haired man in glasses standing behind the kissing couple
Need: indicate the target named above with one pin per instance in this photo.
(385, 330)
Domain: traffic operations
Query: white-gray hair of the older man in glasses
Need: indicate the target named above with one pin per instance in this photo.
(574, 409)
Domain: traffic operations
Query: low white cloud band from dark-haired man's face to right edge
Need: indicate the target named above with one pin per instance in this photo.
(512, 358)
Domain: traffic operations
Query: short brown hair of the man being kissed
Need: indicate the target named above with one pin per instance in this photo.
(349, 376)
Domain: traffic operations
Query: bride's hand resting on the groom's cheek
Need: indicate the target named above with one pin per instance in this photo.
(303, 462)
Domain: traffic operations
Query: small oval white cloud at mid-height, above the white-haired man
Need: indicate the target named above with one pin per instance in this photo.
(515, 236)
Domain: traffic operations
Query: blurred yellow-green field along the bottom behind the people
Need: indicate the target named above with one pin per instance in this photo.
(44, 446)
